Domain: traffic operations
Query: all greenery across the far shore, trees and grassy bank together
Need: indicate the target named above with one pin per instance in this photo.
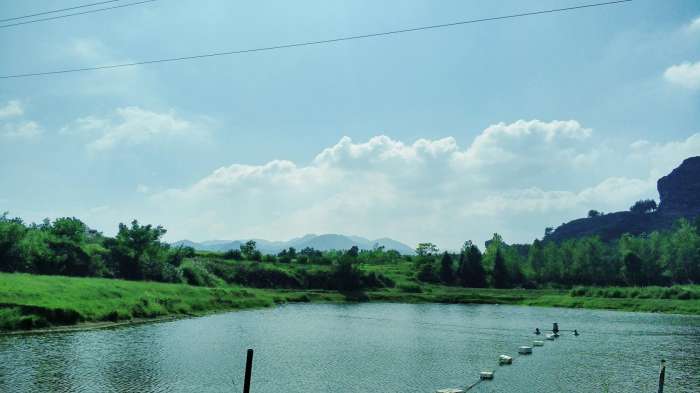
(136, 275)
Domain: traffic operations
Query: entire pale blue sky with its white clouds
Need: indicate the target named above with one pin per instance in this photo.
(444, 135)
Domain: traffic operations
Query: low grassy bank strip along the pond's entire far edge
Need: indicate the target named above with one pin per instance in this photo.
(34, 302)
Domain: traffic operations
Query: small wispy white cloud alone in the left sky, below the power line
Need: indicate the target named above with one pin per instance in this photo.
(132, 126)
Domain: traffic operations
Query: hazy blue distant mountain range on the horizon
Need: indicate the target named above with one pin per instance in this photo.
(319, 242)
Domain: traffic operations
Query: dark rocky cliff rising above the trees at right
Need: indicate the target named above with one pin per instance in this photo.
(679, 195)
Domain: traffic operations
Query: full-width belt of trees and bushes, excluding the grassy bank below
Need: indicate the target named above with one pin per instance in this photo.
(68, 247)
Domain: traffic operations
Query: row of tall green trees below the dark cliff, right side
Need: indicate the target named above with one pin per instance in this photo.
(659, 258)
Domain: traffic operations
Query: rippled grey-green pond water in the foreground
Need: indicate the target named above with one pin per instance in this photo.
(370, 347)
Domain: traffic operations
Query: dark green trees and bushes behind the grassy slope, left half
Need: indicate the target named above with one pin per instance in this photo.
(68, 247)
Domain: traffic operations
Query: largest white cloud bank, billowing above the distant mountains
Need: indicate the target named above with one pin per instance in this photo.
(512, 178)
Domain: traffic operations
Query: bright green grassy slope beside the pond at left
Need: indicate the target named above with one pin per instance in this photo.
(32, 301)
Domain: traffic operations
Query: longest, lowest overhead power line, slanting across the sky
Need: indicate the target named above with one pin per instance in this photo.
(310, 43)
